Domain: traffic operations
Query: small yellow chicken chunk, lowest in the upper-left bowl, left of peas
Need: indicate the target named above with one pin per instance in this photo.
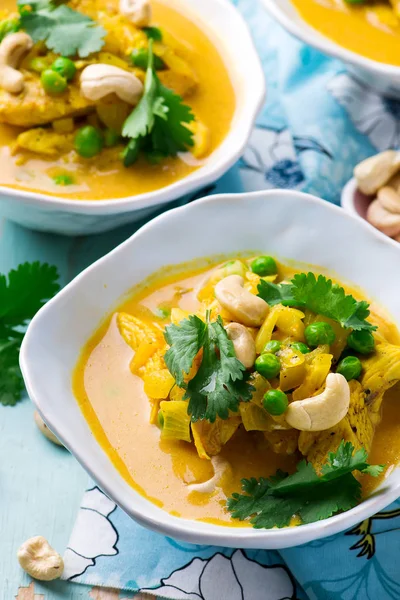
(44, 141)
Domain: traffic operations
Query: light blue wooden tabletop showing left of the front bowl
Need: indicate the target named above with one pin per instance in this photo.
(41, 484)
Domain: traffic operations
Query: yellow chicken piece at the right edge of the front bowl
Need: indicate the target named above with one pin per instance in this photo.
(381, 371)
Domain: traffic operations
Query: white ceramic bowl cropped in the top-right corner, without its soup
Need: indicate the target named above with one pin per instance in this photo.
(383, 77)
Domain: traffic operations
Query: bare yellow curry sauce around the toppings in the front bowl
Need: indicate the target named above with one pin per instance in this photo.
(118, 412)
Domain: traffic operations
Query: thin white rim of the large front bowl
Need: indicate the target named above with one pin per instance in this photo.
(168, 524)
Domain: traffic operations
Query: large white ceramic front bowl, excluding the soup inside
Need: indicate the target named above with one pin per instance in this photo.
(286, 224)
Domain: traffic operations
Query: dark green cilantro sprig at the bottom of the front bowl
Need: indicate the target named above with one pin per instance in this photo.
(311, 497)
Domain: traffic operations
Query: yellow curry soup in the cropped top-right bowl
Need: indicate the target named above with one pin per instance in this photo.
(369, 28)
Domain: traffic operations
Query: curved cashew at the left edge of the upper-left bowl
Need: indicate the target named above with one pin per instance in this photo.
(12, 50)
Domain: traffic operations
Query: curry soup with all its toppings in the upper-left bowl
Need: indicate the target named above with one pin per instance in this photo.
(133, 103)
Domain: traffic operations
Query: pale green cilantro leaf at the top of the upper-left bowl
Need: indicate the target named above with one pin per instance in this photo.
(64, 30)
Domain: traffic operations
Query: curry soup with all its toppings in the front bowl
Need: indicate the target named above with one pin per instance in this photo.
(204, 380)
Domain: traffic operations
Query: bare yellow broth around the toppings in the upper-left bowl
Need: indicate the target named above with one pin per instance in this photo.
(213, 103)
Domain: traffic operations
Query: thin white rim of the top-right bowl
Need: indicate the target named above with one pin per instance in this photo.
(326, 45)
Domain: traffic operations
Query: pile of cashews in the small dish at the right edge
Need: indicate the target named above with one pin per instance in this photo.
(379, 176)
